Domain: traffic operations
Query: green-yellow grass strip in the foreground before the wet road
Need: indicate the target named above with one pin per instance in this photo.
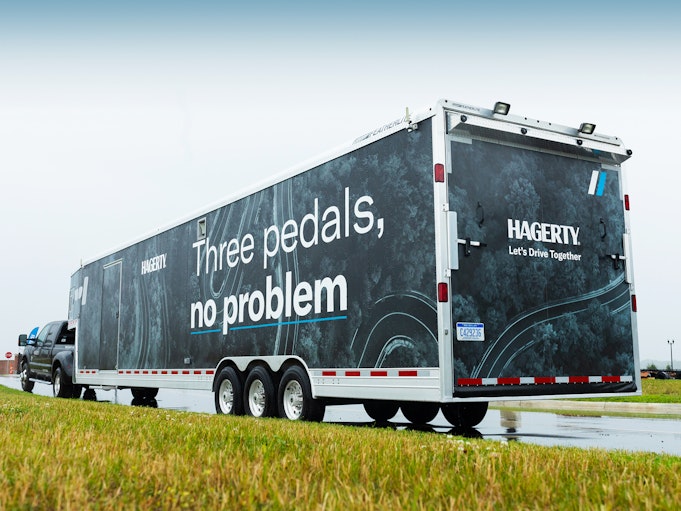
(73, 455)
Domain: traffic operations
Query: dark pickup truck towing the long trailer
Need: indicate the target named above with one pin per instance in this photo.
(49, 358)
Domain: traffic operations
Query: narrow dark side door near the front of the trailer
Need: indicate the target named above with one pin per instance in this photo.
(111, 306)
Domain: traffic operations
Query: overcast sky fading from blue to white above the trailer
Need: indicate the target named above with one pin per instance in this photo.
(117, 119)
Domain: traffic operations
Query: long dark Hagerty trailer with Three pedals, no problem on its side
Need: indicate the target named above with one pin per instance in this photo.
(452, 257)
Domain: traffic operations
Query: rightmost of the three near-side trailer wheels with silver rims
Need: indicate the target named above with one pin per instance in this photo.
(295, 397)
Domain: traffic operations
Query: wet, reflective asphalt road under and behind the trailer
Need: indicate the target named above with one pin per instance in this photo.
(639, 434)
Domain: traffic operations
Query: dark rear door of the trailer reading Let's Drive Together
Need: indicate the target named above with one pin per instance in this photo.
(541, 293)
